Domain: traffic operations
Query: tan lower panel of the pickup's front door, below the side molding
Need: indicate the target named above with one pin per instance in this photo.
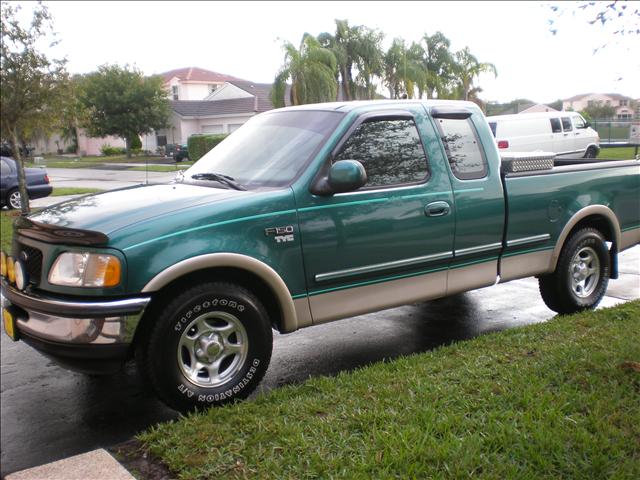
(370, 298)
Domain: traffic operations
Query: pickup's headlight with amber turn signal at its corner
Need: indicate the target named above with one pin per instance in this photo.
(85, 270)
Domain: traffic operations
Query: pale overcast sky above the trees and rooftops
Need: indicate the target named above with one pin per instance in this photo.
(244, 39)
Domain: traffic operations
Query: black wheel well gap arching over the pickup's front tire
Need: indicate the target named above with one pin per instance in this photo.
(242, 277)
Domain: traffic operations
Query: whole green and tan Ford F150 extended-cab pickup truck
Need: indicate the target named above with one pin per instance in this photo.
(303, 216)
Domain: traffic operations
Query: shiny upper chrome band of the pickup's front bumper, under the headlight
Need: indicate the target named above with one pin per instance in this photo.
(70, 308)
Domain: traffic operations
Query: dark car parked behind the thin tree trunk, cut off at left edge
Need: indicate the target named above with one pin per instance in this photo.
(37, 183)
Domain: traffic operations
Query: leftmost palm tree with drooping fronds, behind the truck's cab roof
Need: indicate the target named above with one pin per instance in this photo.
(312, 71)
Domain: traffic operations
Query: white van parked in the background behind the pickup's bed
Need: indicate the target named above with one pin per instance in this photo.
(564, 133)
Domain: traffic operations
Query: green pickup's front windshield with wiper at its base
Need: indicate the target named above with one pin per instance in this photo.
(269, 150)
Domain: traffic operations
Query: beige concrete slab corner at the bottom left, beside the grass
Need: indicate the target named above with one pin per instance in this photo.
(94, 465)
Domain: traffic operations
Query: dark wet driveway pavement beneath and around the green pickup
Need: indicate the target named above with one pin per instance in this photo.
(48, 413)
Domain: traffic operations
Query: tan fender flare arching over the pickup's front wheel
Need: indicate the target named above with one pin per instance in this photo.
(233, 260)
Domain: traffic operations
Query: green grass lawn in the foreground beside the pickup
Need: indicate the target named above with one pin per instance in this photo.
(554, 400)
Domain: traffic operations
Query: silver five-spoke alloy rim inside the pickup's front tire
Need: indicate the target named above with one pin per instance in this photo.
(212, 349)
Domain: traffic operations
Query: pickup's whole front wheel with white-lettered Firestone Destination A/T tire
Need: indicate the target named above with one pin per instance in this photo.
(209, 346)
